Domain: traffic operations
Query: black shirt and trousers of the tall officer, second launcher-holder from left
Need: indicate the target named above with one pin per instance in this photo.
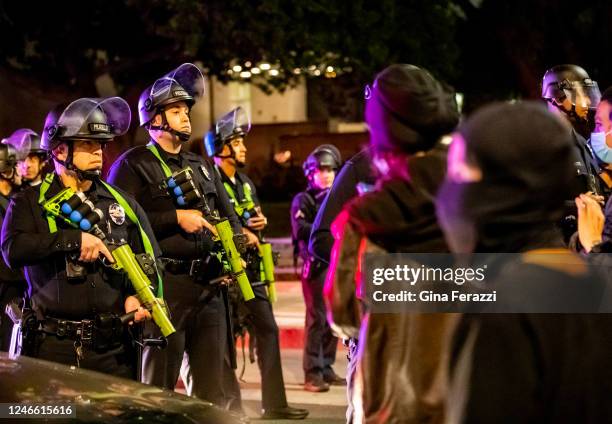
(199, 311)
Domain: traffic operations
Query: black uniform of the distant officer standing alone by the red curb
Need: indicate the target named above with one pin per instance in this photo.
(320, 345)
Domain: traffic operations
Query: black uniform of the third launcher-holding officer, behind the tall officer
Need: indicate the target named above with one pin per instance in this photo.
(261, 315)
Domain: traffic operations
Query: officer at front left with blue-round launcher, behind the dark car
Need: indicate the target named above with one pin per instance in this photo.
(75, 298)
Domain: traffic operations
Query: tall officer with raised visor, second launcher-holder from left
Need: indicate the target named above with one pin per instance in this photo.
(185, 234)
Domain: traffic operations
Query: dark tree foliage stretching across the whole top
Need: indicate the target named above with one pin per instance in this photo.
(489, 49)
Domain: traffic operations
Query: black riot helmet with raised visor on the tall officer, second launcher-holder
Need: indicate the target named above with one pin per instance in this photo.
(185, 83)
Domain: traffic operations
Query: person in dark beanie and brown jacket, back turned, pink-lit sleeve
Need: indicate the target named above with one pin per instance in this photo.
(407, 111)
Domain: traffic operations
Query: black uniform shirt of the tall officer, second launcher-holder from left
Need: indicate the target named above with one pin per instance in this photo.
(138, 172)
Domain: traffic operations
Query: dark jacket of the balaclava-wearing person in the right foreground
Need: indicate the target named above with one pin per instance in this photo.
(534, 368)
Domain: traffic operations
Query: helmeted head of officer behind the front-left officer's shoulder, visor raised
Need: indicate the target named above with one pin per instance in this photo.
(30, 168)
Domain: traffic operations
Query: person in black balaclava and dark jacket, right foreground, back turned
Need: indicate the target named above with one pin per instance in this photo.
(508, 175)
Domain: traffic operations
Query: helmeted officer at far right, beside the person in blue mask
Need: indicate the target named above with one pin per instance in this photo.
(570, 93)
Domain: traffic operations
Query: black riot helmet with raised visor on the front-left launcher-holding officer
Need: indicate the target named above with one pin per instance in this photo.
(98, 119)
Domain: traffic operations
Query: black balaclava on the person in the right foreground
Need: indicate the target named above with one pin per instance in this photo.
(525, 155)
